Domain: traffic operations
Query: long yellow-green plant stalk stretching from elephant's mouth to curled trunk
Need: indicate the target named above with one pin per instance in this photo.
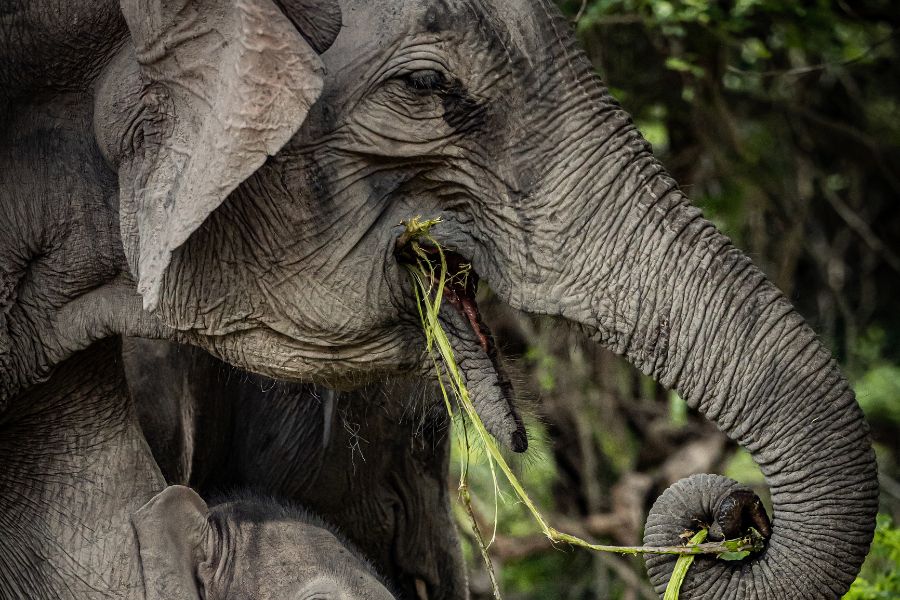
(428, 297)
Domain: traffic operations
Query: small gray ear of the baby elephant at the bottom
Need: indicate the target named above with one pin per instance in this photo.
(172, 531)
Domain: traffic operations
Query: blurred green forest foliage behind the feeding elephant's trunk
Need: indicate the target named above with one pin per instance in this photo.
(782, 121)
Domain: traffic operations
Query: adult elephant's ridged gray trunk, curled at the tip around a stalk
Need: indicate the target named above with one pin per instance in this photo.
(647, 276)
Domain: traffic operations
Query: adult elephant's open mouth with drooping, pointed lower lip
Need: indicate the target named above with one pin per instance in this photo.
(473, 345)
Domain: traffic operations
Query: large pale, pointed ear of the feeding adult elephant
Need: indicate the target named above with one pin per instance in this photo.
(224, 85)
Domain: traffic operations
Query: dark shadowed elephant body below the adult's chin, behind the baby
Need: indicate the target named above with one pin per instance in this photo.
(372, 462)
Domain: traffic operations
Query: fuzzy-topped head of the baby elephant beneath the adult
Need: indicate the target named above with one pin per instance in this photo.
(245, 549)
